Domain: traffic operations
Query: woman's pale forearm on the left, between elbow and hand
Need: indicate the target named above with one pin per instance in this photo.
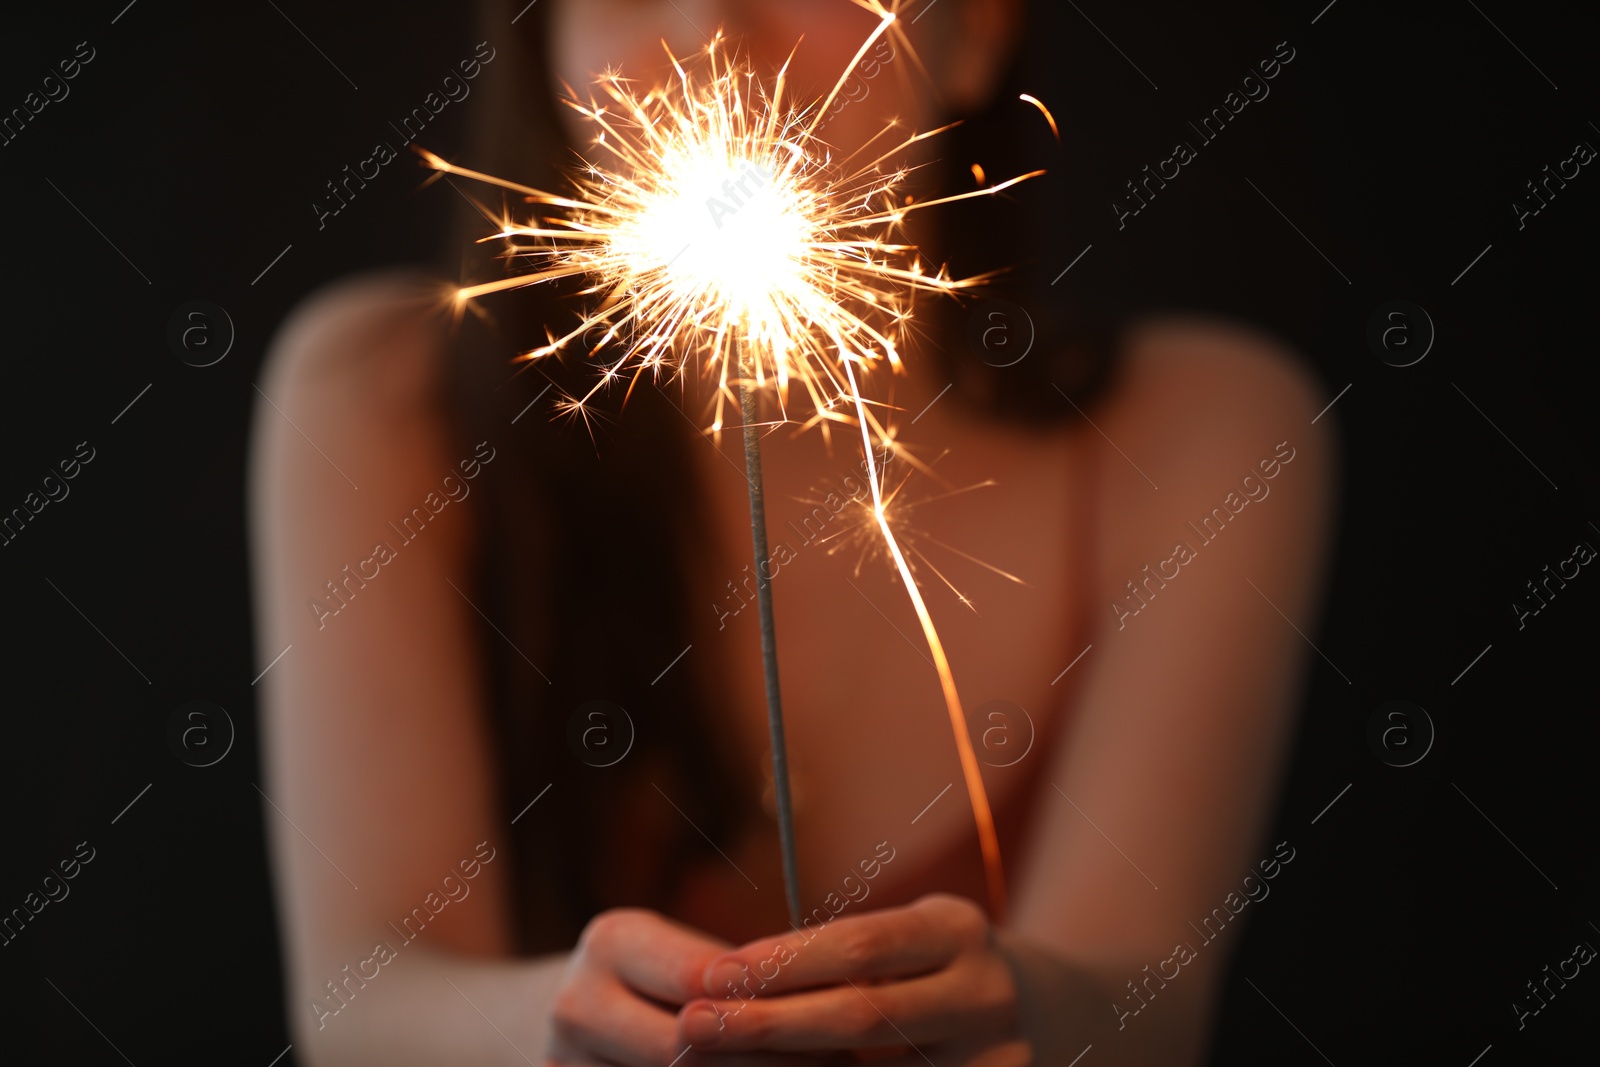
(428, 1009)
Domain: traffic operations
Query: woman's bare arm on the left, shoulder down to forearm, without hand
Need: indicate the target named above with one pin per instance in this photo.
(375, 759)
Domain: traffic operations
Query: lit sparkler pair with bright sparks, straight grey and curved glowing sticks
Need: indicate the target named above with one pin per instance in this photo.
(711, 220)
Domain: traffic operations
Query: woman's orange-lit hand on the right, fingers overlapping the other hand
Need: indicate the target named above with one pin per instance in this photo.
(919, 983)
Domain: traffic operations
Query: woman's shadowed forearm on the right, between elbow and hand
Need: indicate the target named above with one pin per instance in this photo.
(1066, 1009)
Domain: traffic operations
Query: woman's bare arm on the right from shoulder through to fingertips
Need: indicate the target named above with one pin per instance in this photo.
(1159, 793)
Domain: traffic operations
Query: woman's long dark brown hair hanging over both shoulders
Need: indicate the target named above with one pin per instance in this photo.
(580, 543)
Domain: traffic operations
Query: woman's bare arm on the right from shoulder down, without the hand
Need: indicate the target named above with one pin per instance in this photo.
(1162, 791)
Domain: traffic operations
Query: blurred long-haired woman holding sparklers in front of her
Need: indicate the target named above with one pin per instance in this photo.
(518, 741)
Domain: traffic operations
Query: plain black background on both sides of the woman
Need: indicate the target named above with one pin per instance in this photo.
(1396, 143)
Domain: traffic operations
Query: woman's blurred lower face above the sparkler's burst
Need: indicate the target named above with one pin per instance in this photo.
(959, 41)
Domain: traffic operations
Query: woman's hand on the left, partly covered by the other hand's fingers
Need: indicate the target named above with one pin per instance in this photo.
(615, 1004)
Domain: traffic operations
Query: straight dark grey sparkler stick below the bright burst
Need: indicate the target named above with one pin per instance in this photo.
(764, 597)
